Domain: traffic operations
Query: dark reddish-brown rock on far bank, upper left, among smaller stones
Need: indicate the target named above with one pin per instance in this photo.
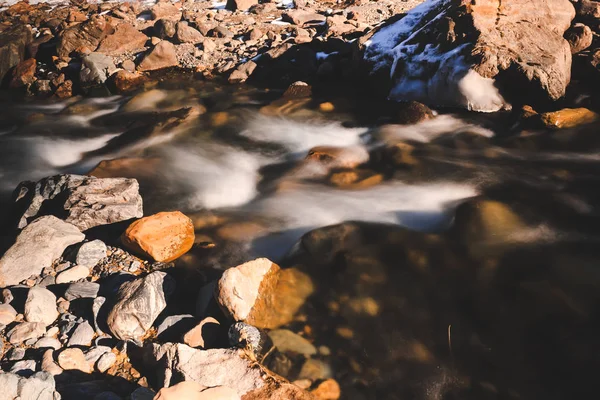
(87, 34)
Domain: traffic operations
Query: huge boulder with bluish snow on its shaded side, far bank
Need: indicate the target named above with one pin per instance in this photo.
(477, 55)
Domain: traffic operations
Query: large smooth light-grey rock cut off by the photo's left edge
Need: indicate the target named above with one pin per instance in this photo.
(36, 248)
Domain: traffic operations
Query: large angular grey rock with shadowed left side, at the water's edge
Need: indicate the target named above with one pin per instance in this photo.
(87, 201)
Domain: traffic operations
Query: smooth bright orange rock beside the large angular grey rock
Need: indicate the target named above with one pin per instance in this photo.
(164, 236)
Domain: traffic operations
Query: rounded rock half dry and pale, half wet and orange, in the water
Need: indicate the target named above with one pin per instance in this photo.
(261, 294)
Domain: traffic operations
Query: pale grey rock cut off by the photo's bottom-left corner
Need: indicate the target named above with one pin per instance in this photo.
(39, 386)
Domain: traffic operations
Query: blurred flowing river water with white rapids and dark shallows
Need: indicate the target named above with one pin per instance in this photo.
(414, 301)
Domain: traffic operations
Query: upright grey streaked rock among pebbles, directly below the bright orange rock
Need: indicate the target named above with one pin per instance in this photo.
(138, 304)
